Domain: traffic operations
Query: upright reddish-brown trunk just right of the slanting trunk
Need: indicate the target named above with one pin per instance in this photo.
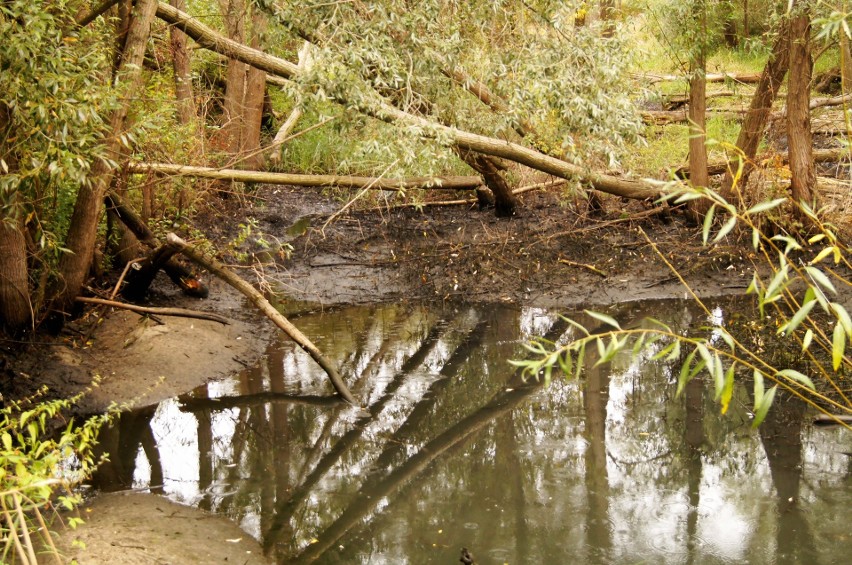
(800, 138)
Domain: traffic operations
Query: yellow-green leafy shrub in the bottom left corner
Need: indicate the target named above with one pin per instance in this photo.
(39, 468)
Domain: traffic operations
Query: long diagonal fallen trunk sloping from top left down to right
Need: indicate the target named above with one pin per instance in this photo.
(210, 39)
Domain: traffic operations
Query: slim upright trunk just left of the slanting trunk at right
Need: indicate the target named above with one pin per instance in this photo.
(697, 110)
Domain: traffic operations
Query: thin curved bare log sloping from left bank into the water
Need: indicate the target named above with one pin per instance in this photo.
(268, 309)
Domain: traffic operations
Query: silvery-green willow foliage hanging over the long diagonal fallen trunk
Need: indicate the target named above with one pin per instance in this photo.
(568, 83)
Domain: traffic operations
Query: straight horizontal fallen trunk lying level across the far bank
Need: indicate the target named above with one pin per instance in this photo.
(345, 181)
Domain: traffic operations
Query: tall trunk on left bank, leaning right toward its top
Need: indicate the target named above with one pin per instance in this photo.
(82, 233)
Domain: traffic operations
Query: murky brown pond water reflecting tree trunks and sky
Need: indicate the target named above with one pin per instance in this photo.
(453, 450)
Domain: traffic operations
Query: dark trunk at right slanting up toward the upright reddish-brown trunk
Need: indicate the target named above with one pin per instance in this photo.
(758, 114)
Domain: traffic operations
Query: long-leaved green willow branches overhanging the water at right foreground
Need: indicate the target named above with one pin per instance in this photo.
(797, 297)
